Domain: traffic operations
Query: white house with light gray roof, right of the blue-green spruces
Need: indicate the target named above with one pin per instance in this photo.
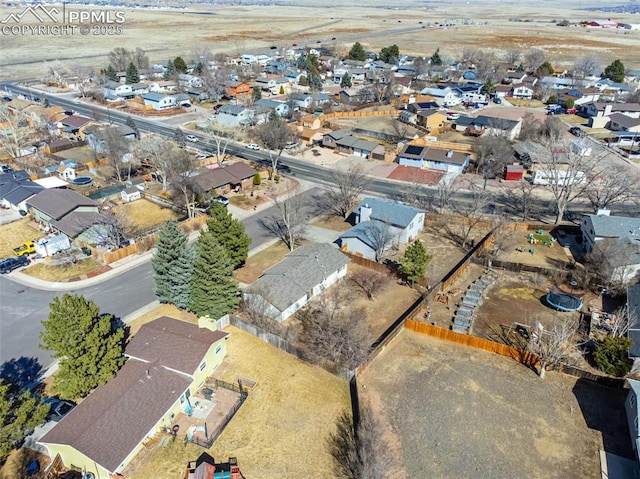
(303, 274)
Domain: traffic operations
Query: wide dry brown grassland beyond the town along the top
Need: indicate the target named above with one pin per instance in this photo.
(236, 29)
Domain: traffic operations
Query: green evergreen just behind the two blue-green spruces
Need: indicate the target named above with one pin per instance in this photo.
(229, 233)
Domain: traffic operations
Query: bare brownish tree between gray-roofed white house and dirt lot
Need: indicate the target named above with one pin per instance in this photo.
(333, 331)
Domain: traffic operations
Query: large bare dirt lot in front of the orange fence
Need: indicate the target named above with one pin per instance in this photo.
(456, 412)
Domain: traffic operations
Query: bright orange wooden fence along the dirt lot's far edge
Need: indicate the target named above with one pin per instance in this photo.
(471, 341)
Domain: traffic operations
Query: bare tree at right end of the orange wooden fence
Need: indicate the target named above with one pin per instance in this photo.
(556, 345)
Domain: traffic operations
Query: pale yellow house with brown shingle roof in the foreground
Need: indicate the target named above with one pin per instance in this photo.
(168, 360)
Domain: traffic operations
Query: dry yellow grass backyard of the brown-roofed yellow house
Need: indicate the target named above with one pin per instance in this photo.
(291, 410)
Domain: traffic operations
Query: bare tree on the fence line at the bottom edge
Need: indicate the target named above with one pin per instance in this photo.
(362, 452)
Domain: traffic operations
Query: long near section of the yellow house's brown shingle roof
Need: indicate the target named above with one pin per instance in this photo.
(117, 416)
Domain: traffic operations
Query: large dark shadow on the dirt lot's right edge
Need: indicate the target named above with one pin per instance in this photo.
(603, 410)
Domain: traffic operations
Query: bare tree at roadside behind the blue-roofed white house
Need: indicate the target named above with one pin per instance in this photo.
(345, 193)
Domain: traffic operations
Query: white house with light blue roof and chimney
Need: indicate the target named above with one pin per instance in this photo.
(379, 223)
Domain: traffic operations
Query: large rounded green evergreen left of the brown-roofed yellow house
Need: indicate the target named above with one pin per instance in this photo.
(89, 347)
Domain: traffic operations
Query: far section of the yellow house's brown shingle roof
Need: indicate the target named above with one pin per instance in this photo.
(176, 344)
